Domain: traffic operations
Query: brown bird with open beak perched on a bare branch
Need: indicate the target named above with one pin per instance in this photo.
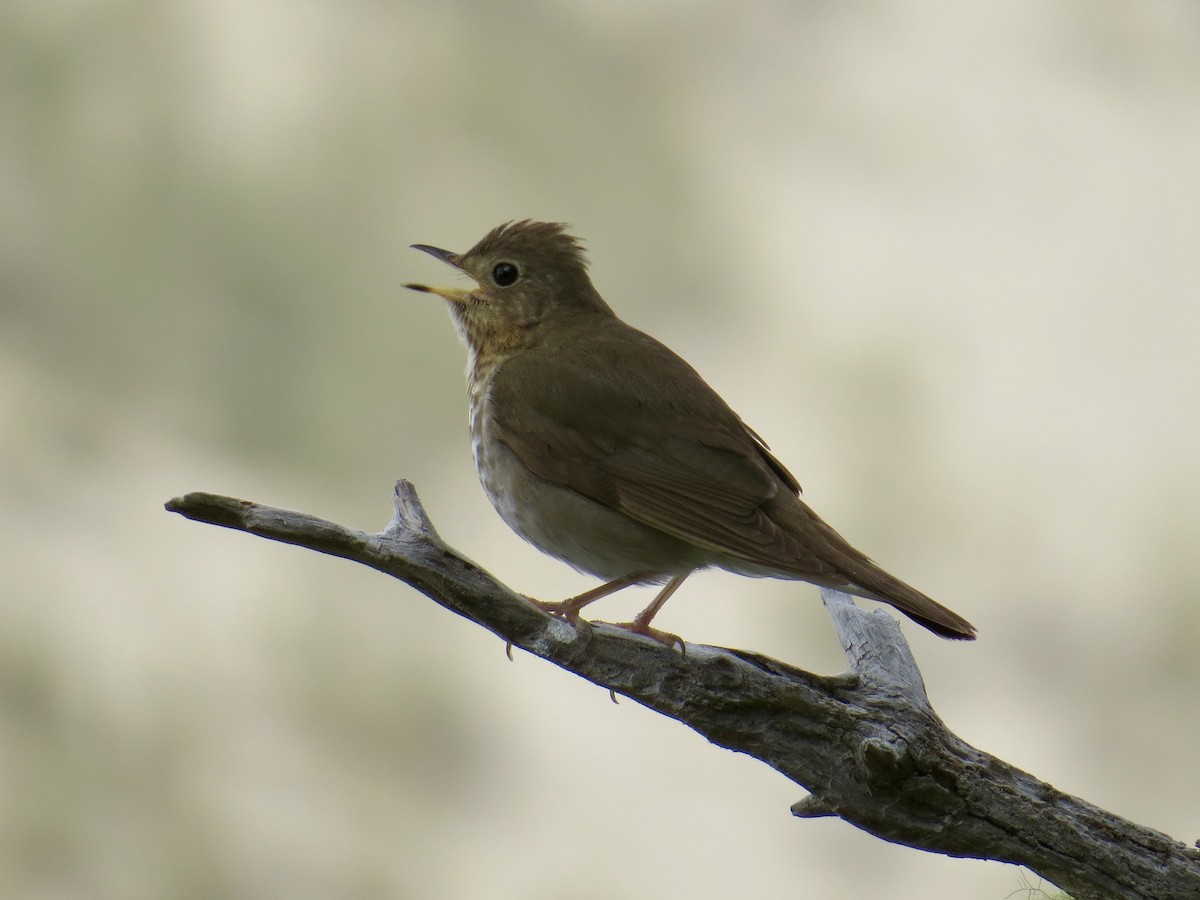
(603, 448)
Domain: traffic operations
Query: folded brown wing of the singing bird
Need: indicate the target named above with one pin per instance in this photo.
(631, 425)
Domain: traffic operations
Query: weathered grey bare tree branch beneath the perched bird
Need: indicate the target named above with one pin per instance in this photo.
(867, 745)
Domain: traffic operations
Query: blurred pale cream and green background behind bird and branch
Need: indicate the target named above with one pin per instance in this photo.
(945, 257)
